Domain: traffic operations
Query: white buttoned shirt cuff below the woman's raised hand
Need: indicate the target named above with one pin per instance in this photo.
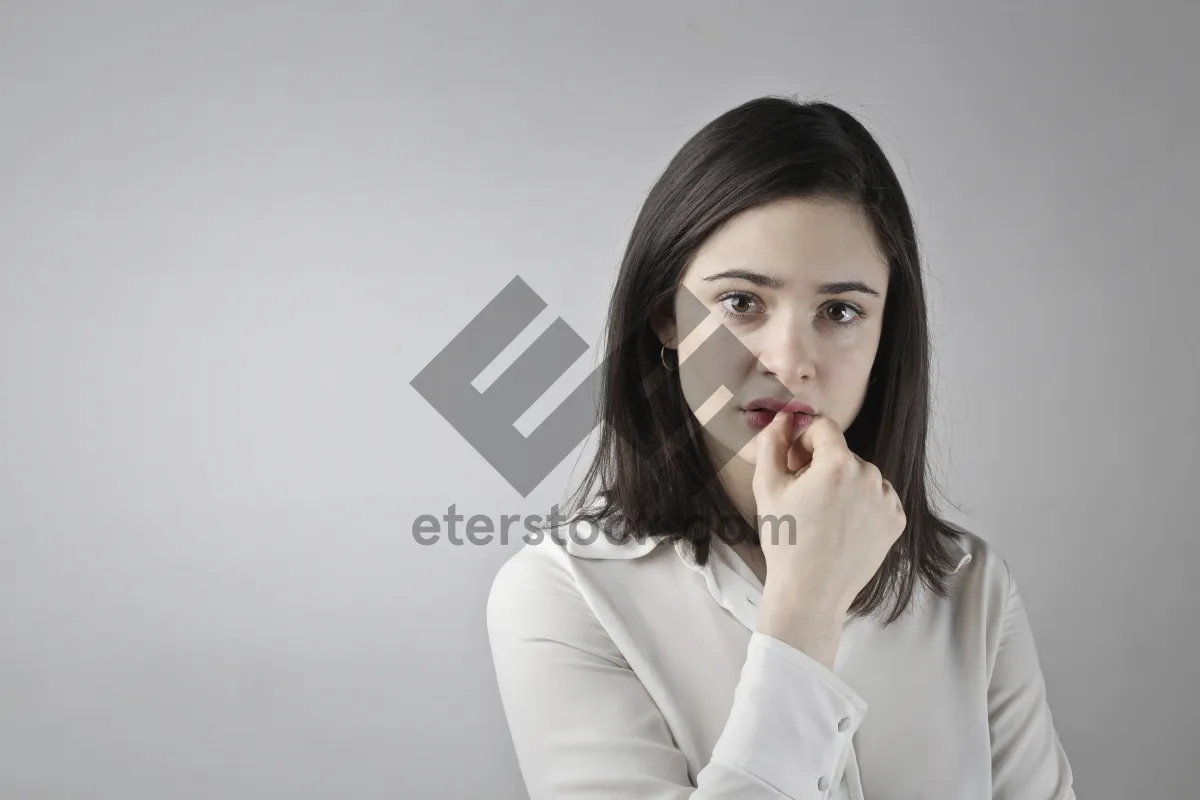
(791, 721)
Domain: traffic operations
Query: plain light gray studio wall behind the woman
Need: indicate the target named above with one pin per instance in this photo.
(232, 233)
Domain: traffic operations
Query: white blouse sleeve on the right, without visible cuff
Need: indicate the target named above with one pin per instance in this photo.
(1028, 759)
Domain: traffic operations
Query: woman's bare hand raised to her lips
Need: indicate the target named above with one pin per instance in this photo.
(825, 532)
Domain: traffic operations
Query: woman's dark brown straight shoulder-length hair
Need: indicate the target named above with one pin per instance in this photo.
(767, 149)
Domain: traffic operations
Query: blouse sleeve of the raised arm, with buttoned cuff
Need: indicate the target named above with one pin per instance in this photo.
(585, 727)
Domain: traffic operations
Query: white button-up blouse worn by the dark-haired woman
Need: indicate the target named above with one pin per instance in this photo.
(628, 672)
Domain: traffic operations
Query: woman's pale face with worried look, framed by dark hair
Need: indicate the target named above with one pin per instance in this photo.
(799, 287)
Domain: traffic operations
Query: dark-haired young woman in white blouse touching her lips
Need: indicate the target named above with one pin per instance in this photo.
(754, 598)
